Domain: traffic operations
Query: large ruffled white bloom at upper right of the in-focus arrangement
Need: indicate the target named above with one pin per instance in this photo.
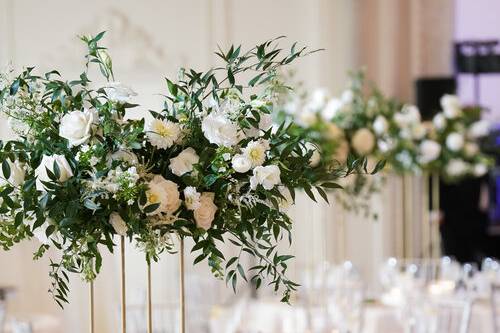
(220, 130)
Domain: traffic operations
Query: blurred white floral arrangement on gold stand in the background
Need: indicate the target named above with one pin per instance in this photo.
(363, 123)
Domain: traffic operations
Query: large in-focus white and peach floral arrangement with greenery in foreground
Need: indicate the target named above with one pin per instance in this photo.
(209, 166)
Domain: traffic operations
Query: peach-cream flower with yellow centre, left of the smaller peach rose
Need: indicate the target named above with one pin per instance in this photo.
(163, 192)
